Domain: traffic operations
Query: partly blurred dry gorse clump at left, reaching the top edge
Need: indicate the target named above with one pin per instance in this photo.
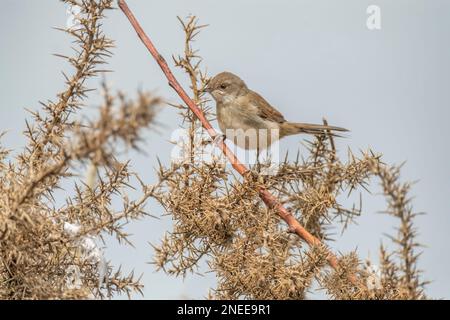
(54, 252)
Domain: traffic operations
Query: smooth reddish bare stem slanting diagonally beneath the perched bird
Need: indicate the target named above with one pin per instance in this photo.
(270, 200)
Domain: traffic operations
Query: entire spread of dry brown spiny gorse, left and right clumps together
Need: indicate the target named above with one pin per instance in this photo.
(50, 251)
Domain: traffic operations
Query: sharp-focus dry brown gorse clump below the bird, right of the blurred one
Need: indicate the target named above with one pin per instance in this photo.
(220, 217)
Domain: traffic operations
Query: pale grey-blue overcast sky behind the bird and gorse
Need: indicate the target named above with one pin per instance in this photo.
(311, 59)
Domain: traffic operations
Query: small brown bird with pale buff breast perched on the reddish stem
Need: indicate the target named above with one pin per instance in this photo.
(248, 119)
